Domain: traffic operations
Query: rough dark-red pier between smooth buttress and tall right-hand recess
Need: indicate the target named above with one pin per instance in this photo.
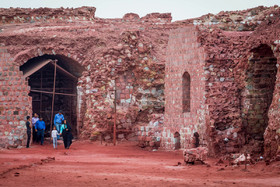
(225, 50)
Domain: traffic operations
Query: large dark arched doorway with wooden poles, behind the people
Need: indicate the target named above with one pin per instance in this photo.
(53, 87)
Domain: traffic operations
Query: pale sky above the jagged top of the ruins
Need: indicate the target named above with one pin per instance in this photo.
(180, 9)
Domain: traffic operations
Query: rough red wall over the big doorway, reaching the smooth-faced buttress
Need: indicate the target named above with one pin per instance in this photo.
(124, 54)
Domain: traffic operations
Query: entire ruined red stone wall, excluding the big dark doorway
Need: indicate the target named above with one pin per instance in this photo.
(129, 55)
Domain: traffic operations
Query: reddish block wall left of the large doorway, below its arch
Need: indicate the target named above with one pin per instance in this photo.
(15, 104)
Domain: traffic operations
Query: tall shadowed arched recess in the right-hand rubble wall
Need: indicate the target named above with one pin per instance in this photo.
(258, 93)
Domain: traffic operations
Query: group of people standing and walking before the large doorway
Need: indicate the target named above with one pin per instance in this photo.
(38, 126)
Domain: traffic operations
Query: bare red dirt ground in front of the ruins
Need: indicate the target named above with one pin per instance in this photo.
(92, 164)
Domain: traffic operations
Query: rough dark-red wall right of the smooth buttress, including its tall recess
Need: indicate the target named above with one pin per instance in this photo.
(235, 76)
